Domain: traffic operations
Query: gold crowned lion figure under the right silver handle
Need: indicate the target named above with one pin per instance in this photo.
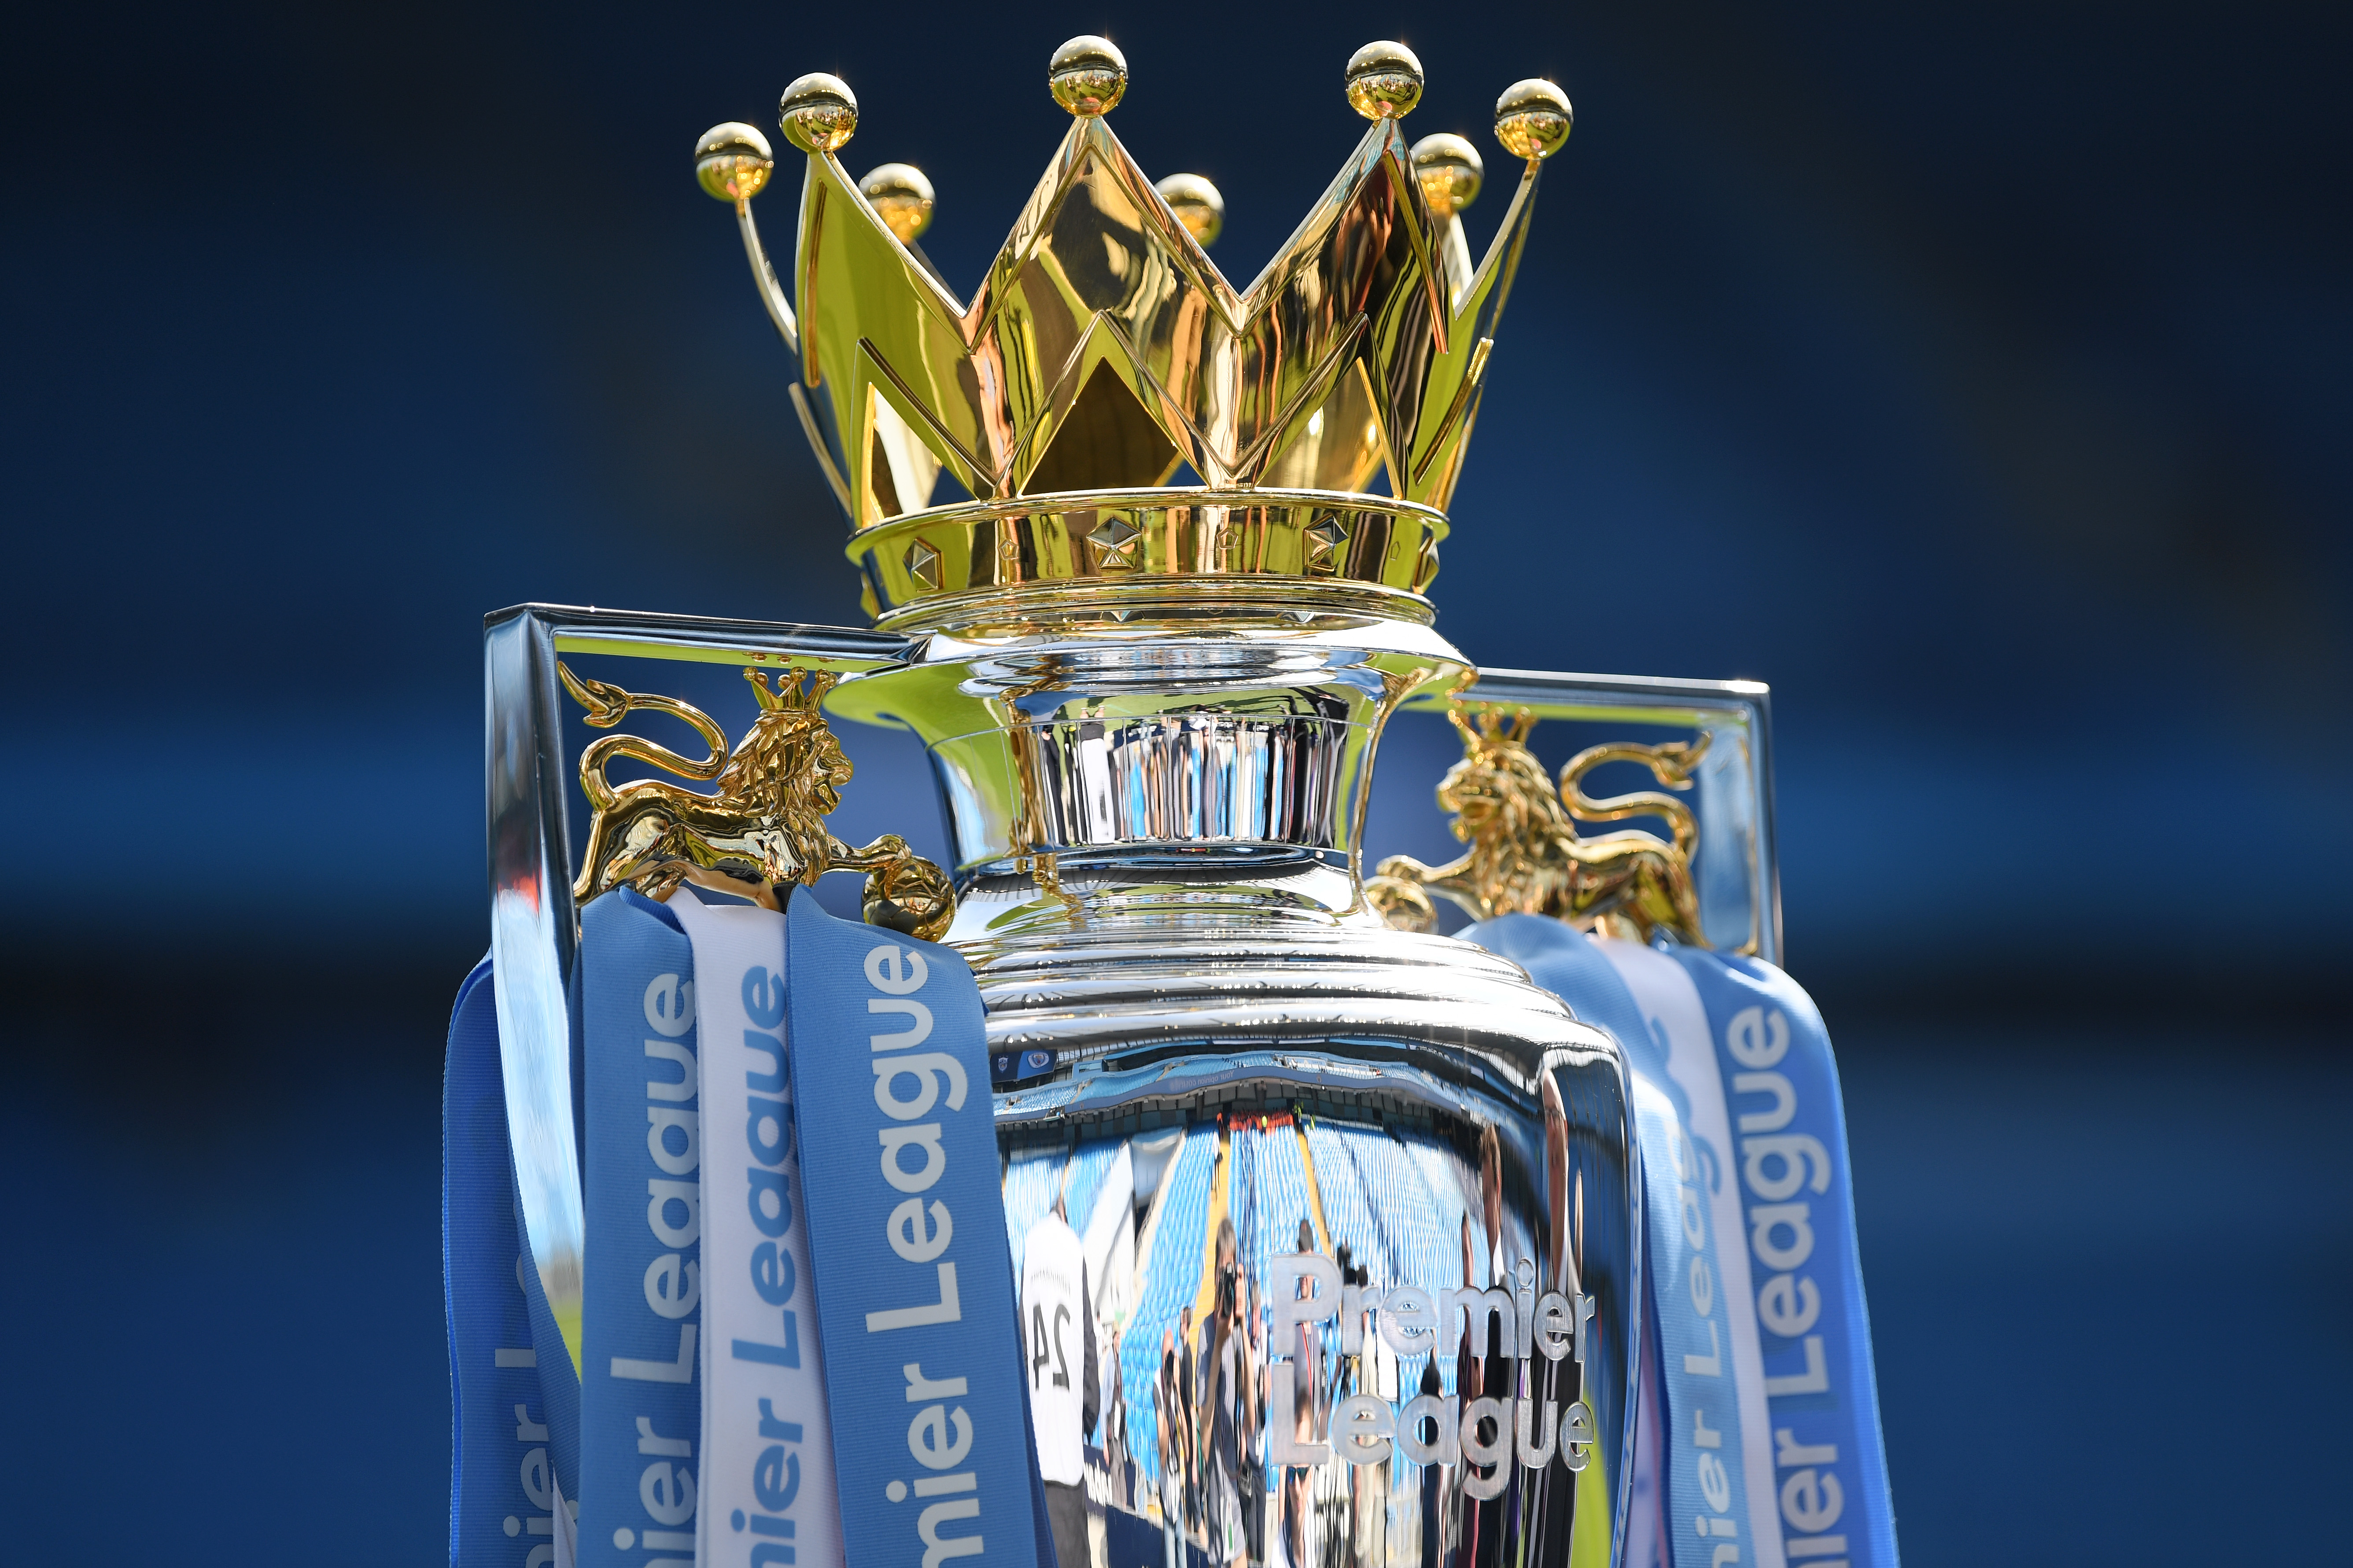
(1526, 855)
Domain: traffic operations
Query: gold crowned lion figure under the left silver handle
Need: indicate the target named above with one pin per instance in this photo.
(761, 829)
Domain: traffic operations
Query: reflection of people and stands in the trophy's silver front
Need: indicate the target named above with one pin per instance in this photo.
(1180, 1233)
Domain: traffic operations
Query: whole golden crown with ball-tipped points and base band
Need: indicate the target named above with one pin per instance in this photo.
(1105, 351)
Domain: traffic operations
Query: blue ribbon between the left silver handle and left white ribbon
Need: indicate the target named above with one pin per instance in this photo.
(641, 1367)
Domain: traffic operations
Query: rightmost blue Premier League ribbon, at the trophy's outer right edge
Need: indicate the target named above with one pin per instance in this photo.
(1799, 1200)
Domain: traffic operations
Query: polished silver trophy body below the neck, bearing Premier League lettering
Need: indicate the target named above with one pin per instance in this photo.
(1399, 1111)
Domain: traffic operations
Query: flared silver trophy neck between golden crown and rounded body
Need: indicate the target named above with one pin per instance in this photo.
(1159, 753)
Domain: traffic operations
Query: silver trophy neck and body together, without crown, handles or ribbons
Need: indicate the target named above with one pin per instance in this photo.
(1227, 1073)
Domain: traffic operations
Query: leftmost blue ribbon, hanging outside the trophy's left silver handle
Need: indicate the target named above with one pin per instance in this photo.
(505, 1456)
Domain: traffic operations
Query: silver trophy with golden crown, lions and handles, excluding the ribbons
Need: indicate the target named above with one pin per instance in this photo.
(1357, 1200)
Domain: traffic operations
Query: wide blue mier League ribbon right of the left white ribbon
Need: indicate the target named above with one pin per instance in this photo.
(907, 1233)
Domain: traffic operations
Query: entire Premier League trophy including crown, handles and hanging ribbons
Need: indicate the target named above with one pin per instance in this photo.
(1154, 1186)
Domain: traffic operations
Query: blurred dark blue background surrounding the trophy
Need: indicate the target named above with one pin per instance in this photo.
(1973, 375)
